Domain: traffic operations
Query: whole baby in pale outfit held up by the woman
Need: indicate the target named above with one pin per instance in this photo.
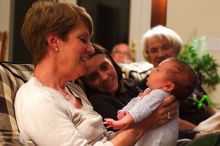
(172, 76)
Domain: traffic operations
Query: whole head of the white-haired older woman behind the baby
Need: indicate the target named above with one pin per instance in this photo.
(160, 43)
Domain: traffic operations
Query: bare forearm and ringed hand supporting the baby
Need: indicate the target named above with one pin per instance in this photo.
(131, 134)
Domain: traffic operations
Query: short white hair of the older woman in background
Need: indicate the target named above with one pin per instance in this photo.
(163, 33)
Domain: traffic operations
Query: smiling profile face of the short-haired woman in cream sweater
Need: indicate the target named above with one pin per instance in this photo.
(73, 52)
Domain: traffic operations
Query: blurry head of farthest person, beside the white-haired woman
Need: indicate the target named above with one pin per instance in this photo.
(121, 53)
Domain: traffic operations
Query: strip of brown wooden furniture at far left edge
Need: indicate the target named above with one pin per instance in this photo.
(3, 48)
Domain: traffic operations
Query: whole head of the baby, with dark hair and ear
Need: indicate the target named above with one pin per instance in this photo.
(174, 76)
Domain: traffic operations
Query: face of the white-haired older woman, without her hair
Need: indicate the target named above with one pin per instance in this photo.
(159, 50)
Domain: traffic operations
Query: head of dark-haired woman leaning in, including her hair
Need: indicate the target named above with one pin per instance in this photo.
(102, 72)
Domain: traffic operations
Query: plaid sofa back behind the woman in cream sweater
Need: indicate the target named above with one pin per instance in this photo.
(12, 76)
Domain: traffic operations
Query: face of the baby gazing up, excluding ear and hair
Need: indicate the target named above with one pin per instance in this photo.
(159, 75)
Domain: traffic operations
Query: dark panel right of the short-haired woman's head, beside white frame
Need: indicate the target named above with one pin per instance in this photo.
(111, 20)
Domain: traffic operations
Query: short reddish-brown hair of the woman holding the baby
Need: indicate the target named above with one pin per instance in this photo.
(45, 17)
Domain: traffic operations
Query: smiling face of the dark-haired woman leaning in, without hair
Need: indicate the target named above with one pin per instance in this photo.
(101, 74)
